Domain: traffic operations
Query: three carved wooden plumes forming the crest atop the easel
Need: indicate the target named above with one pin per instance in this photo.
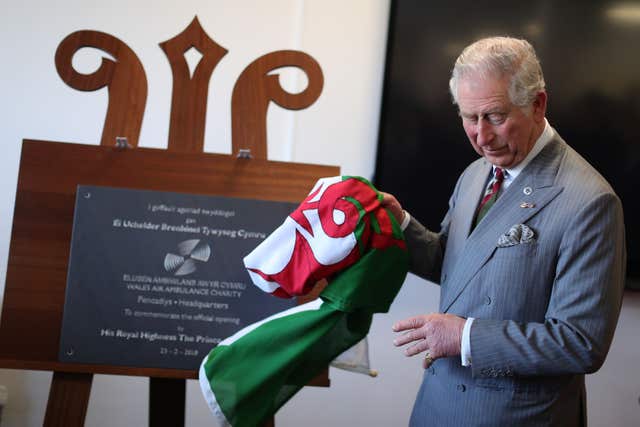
(126, 80)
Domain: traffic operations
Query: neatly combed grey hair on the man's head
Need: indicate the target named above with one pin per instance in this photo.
(498, 57)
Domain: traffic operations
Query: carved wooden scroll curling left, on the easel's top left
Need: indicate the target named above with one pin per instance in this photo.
(124, 77)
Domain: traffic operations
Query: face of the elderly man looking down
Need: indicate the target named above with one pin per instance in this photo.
(498, 130)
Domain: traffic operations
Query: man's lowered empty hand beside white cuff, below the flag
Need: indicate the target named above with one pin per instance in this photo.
(439, 334)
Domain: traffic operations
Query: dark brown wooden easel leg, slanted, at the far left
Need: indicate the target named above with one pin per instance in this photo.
(68, 400)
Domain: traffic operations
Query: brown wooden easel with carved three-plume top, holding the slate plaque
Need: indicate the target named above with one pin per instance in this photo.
(50, 172)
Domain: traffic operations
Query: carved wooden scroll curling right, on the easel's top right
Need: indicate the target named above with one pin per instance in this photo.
(256, 88)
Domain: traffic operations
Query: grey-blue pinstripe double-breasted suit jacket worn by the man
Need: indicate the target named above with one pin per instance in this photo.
(545, 310)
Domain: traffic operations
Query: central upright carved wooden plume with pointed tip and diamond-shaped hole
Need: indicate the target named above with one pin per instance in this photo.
(189, 99)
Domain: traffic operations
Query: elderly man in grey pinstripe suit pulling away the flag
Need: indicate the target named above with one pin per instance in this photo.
(530, 259)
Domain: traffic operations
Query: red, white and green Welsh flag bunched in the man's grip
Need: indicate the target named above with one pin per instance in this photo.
(339, 233)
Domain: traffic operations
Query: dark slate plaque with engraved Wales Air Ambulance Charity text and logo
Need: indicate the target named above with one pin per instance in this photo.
(156, 279)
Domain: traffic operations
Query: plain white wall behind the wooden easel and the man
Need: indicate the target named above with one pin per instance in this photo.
(348, 40)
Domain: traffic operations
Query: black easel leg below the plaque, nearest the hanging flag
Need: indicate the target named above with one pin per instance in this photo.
(166, 402)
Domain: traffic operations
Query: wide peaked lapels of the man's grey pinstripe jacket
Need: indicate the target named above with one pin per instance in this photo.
(478, 248)
